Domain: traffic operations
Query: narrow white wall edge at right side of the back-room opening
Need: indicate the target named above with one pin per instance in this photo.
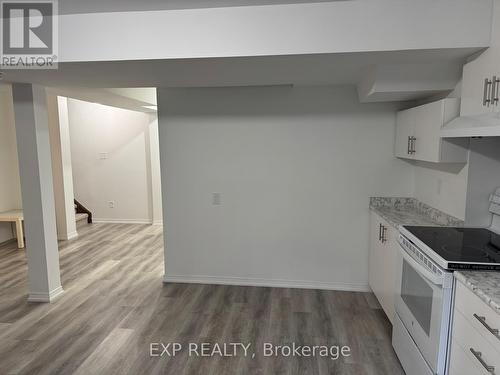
(154, 171)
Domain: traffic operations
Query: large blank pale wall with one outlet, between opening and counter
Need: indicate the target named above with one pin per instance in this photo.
(295, 167)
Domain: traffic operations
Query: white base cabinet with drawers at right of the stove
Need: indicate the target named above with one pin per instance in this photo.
(475, 341)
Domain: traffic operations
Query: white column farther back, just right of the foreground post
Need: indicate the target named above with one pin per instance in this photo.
(61, 167)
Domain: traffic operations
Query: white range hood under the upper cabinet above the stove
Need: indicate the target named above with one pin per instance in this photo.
(485, 125)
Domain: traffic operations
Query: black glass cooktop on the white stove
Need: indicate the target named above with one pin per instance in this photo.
(463, 245)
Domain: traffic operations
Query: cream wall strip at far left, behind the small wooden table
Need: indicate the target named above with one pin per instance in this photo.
(10, 188)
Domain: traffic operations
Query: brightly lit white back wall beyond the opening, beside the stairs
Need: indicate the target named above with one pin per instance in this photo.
(123, 177)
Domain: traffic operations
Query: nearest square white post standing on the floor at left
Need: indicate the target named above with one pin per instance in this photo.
(32, 131)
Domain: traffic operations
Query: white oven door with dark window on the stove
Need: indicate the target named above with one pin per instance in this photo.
(424, 306)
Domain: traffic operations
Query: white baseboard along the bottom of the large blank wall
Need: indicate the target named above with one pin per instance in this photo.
(275, 283)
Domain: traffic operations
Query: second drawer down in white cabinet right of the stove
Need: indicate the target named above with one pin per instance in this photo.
(465, 335)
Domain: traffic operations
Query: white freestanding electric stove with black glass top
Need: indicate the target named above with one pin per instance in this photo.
(424, 299)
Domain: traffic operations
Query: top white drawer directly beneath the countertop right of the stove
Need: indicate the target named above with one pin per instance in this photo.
(471, 306)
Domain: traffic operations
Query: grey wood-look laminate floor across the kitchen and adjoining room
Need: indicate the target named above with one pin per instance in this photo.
(116, 305)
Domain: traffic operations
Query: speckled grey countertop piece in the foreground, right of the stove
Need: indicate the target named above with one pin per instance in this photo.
(484, 284)
